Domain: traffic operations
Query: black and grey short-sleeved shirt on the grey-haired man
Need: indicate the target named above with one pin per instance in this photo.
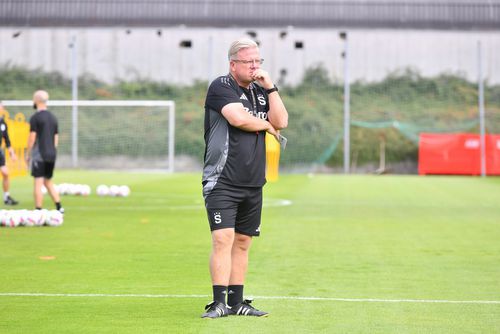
(233, 156)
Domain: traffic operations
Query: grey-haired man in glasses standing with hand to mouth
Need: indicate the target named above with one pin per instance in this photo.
(239, 109)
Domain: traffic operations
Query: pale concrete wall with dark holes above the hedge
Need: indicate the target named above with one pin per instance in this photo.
(122, 53)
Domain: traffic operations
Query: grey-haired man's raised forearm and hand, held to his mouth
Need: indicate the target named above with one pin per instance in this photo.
(277, 115)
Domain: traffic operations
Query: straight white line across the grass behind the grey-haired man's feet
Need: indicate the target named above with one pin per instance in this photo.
(358, 300)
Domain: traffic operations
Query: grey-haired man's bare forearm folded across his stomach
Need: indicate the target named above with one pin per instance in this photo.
(236, 115)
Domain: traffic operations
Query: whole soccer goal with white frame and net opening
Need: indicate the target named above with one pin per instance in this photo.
(110, 134)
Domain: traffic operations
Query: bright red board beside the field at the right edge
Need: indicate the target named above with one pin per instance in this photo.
(459, 153)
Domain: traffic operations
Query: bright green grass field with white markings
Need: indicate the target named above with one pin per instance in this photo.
(351, 254)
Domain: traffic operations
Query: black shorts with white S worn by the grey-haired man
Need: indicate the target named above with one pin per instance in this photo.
(235, 207)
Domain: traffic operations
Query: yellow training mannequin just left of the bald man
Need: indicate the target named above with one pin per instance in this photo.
(19, 131)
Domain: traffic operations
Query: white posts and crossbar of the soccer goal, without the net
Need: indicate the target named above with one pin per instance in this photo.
(107, 103)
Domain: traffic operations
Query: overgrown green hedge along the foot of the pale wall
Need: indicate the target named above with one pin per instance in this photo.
(395, 109)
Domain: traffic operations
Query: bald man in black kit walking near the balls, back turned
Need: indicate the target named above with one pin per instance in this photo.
(42, 149)
